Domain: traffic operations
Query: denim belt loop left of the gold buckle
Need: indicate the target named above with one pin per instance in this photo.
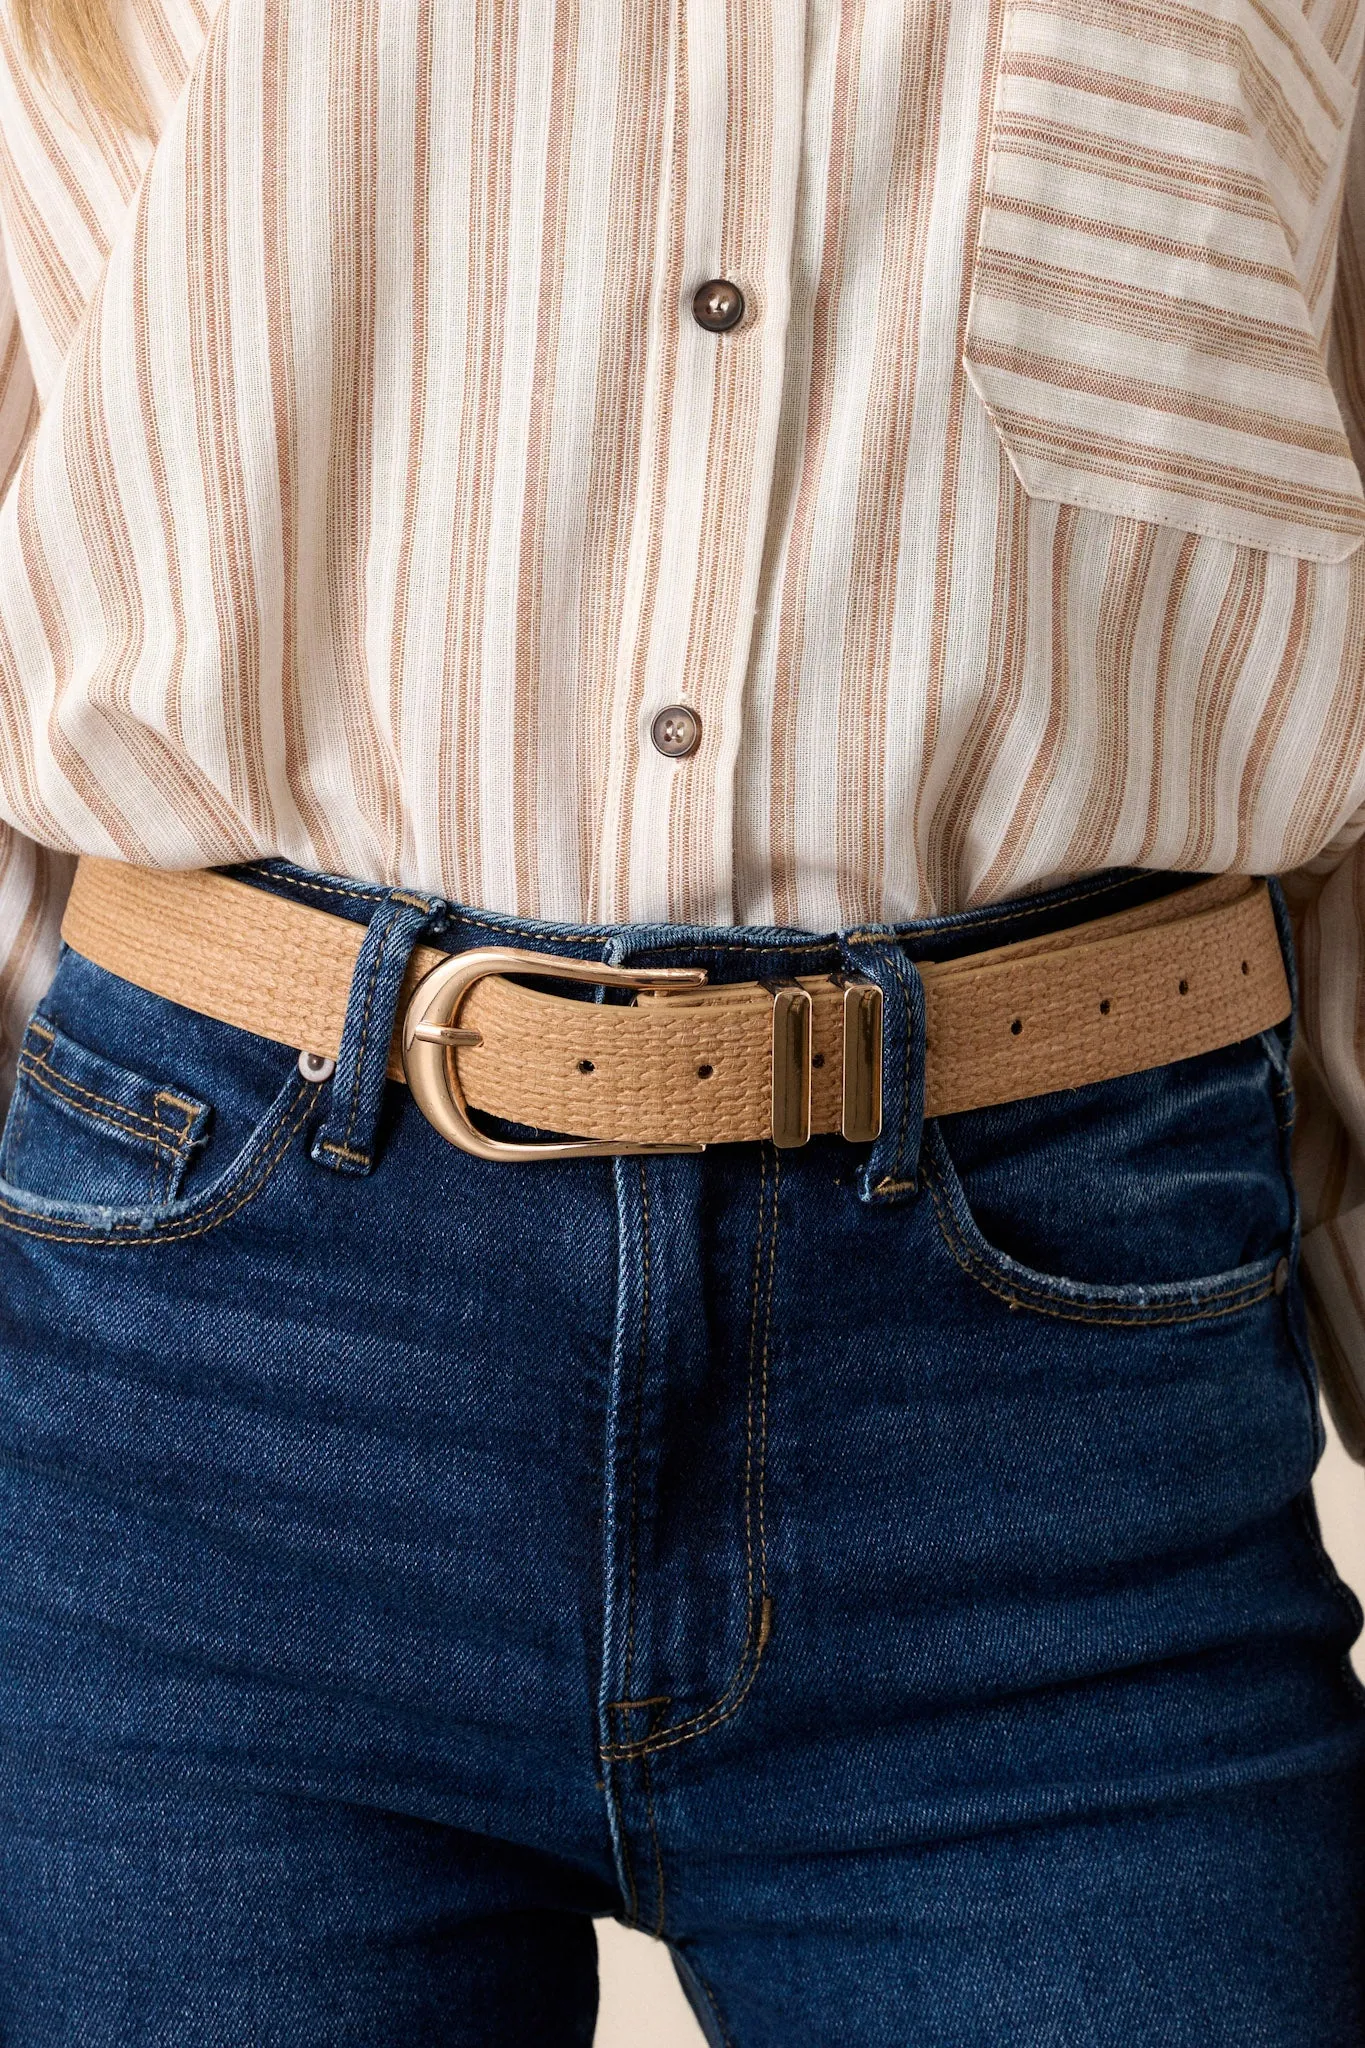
(347, 1140)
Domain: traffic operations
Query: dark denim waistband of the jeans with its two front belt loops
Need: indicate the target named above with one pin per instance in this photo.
(889, 1172)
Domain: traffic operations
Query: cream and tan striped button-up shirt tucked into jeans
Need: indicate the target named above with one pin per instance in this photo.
(371, 484)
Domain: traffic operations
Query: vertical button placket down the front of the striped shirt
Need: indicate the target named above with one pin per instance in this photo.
(719, 312)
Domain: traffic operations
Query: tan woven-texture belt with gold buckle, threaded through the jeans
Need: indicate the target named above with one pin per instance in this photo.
(689, 1064)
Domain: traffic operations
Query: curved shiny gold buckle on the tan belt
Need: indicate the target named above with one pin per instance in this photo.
(433, 1035)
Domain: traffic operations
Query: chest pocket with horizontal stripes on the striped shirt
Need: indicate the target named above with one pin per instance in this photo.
(1153, 275)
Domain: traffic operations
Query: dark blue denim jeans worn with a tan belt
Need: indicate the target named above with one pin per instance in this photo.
(891, 1580)
